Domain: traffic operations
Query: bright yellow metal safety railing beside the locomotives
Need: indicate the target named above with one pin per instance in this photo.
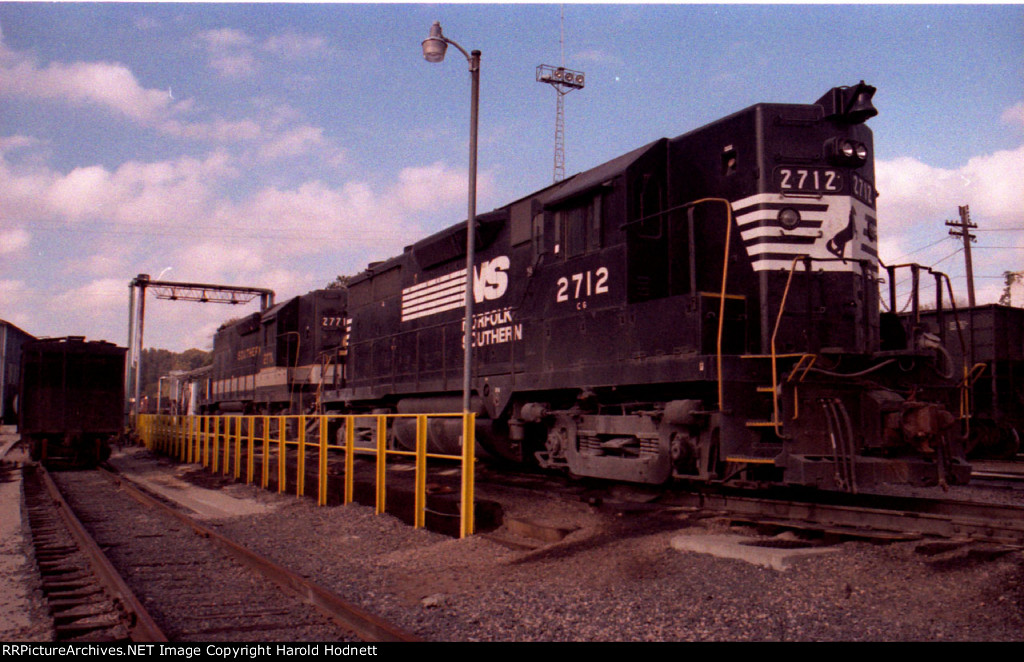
(217, 443)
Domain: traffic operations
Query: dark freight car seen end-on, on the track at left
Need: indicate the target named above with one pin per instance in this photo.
(72, 400)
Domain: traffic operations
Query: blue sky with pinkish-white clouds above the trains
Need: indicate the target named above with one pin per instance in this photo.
(282, 145)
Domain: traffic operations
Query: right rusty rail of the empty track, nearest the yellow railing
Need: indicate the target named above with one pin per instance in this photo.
(365, 626)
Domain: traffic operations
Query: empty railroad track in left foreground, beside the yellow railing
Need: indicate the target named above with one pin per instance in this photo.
(200, 587)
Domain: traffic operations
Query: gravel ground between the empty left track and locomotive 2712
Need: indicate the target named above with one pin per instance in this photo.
(618, 578)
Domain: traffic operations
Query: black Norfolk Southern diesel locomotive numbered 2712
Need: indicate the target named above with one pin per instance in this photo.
(705, 307)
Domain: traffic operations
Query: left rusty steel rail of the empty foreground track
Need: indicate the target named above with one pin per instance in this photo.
(142, 628)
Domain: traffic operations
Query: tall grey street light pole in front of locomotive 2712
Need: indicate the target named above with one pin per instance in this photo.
(434, 51)
